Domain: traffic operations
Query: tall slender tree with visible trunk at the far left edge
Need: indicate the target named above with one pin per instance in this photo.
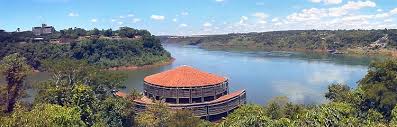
(15, 70)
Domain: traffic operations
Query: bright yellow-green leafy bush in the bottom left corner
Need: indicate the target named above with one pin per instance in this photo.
(46, 115)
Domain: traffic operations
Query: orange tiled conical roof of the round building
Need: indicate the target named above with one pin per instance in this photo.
(184, 76)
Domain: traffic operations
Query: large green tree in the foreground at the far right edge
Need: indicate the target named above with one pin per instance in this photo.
(380, 86)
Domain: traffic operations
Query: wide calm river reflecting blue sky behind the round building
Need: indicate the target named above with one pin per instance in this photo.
(302, 77)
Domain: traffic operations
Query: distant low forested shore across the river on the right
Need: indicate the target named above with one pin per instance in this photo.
(293, 39)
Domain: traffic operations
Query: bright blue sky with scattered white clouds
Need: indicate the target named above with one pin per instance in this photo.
(200, 17)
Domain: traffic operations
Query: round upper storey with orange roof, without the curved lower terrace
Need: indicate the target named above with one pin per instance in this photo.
(184, 85)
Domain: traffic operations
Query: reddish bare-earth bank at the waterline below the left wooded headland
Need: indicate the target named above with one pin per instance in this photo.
(133, 67)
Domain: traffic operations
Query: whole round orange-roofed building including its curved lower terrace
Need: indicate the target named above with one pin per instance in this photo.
(206, 95)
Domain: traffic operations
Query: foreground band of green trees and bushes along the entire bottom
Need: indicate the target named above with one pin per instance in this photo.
(79, 94)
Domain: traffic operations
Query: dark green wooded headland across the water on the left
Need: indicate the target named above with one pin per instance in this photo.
(104, 48)
